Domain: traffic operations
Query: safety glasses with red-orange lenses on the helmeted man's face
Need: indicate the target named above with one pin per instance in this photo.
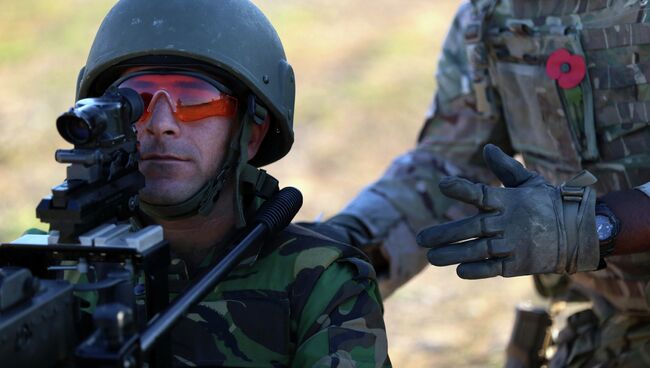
(191, 96)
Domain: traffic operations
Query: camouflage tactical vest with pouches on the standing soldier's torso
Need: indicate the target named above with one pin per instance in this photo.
(602, 124)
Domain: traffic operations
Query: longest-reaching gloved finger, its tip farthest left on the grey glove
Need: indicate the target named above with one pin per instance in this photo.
(450, 232)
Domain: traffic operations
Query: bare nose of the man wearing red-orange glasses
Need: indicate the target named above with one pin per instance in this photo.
(161, 120)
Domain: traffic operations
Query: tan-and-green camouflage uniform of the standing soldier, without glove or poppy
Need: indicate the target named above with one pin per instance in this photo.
(493, 88)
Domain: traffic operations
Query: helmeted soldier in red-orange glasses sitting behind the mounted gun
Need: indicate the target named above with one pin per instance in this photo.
(219, 99)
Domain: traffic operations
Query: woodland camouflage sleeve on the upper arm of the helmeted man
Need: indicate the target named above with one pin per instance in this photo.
(342, 323)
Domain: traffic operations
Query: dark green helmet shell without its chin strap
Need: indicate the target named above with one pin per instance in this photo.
(232, 36)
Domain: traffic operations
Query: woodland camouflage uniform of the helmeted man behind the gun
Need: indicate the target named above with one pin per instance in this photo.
(300, 300)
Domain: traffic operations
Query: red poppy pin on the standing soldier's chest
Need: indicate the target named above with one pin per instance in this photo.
(569, 70)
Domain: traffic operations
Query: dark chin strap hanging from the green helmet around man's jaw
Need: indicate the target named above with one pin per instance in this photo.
(248, 178)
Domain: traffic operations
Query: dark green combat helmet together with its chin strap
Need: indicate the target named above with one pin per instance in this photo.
(230, 39)
